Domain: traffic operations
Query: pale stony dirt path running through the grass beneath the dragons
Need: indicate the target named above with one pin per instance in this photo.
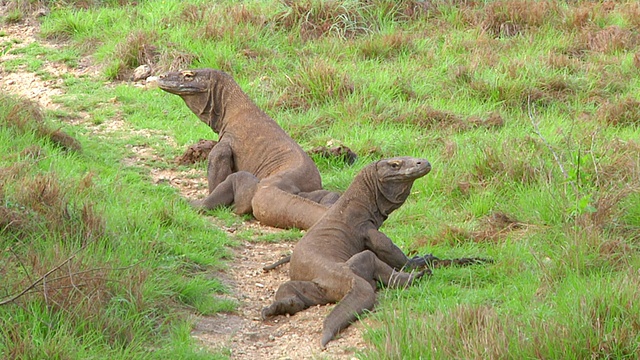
(242, 335)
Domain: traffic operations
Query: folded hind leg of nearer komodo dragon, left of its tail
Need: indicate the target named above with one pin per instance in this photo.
(295, 296)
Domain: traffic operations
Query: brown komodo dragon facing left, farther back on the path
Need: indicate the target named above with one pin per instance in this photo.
(255, 166)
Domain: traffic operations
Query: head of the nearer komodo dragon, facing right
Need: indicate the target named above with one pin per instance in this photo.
(393, 179)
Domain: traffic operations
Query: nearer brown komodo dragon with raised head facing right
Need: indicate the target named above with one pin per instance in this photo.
(344, 255)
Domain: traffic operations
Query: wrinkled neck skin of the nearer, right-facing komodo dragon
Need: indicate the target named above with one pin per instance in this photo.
(375, 198)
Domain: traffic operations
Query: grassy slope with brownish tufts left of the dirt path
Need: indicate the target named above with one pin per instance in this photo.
(131, 255)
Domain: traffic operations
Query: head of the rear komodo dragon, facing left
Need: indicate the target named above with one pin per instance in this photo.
(206, 92)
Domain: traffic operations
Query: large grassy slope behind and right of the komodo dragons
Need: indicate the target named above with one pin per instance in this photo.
(528, 111)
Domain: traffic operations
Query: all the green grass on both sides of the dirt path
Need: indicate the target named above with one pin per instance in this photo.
(528, 111)
